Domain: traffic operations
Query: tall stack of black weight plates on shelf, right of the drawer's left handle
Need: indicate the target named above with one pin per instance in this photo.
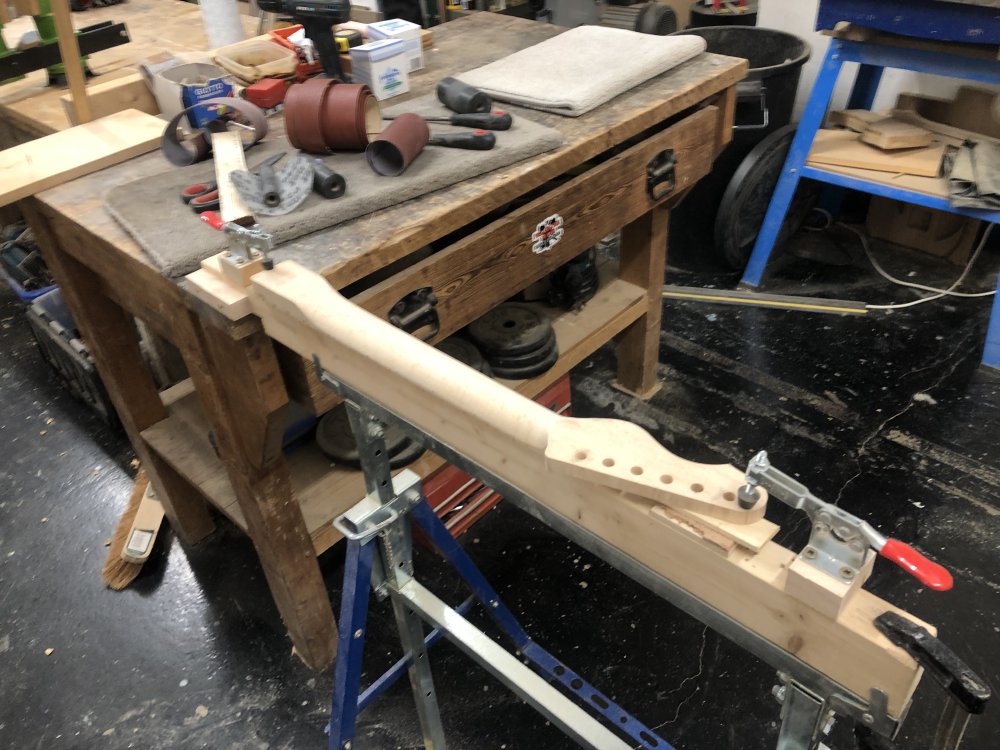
(517, 341)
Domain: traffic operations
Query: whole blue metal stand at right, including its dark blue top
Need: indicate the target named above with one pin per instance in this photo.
(926, 19)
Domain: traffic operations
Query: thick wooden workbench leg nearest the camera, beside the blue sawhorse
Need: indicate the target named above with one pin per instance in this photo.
(242, 392)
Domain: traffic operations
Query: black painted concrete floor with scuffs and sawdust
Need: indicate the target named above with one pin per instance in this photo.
(887, 414)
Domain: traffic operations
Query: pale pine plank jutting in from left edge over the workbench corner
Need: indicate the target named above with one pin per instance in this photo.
(46, 162)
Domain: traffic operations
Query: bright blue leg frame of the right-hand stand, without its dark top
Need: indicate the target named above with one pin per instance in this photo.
(873, 59)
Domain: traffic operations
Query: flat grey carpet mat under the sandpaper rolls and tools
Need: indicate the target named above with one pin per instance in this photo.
(154, 215)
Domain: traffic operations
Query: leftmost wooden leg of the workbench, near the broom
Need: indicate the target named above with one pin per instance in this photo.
(113, 341)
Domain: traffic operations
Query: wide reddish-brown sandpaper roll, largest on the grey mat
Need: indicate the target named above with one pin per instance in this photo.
(324, 115)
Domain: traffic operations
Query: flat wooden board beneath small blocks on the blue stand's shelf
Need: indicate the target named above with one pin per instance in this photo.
(842, 148)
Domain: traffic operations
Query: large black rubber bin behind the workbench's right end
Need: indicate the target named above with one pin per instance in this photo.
(765, 100)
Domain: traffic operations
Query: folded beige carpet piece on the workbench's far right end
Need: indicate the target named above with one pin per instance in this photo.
(582, 68)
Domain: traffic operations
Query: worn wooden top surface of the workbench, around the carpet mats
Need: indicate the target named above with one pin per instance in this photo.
(351, 250)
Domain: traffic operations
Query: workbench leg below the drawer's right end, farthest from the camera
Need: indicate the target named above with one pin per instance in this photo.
(643, 259)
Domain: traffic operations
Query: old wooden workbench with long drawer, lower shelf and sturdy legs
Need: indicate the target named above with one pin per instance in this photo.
(239, 385)
